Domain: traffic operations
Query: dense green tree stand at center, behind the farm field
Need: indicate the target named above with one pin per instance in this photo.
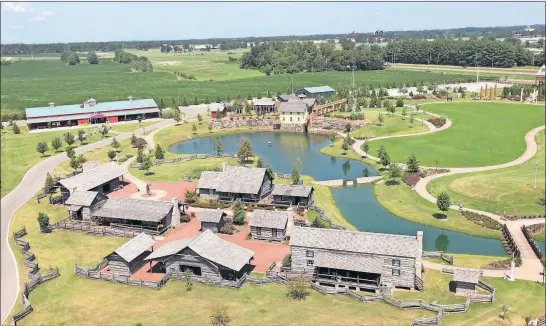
(293, 57)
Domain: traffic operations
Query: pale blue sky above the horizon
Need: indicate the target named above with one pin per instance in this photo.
(47, 22)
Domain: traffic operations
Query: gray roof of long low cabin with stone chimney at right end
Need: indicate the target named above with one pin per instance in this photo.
(135, 209)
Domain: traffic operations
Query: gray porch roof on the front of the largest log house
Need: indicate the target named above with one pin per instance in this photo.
(349, 262)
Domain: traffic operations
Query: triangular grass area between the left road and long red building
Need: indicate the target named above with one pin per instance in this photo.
(19, 152)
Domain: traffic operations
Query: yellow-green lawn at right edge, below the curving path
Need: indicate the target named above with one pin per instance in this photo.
(510, 189)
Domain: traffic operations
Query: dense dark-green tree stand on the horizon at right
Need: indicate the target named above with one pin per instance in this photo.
(485, 53)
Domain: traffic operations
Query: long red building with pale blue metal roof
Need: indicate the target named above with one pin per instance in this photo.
(90, 111)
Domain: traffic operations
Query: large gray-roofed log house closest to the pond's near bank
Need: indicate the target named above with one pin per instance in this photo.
(246, 184)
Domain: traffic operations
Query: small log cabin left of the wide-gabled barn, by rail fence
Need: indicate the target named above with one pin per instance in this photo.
(129, 258)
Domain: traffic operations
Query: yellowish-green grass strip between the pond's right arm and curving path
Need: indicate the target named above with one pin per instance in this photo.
(405, 203)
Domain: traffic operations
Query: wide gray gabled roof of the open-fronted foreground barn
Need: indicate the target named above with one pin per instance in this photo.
(211, 247)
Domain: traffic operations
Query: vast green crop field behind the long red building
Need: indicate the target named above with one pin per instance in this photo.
(30, 83)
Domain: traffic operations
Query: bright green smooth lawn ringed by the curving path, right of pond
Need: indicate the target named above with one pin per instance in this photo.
(482, 134)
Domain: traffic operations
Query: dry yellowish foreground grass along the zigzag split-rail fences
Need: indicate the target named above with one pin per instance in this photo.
(94, 303)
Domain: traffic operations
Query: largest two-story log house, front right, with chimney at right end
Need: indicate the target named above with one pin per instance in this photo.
(357, 260)
